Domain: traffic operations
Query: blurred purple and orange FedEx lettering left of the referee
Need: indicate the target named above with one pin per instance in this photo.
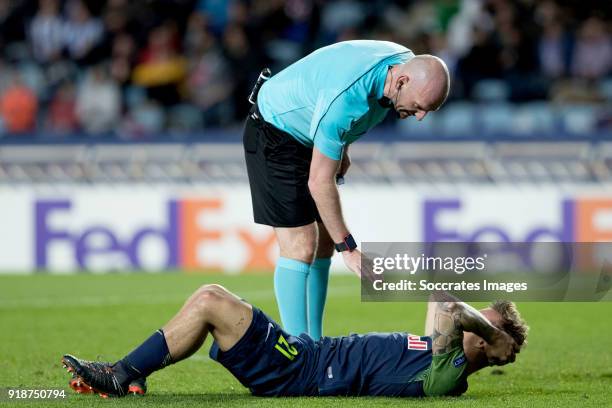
(180, 233)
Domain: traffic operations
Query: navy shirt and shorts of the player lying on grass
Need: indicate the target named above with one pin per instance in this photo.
(271, 362)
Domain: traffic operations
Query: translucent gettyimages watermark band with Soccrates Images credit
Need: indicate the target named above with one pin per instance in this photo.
(486, 271)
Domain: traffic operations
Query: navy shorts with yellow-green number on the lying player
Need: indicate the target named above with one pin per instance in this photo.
(269, 361)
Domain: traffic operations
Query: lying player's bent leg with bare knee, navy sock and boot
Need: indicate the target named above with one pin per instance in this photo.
(210, 309)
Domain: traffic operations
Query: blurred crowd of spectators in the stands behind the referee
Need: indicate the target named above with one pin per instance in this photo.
(135, 68)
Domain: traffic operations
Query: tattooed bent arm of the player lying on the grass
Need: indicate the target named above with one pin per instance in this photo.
(451, 319)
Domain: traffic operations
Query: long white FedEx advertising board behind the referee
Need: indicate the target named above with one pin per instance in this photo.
(102, 229)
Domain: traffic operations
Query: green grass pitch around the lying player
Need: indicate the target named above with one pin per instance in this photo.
(568, 361)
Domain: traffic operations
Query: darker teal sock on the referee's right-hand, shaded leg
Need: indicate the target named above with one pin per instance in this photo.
(317, 293)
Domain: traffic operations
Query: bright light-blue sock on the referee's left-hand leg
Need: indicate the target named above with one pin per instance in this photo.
(290, 289)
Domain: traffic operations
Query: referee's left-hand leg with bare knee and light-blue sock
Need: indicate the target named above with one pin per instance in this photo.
(297, 250)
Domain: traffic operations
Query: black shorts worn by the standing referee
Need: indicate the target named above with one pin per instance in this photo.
(278, 167)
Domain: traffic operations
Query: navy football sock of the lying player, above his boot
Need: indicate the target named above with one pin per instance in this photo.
(150, 356)
